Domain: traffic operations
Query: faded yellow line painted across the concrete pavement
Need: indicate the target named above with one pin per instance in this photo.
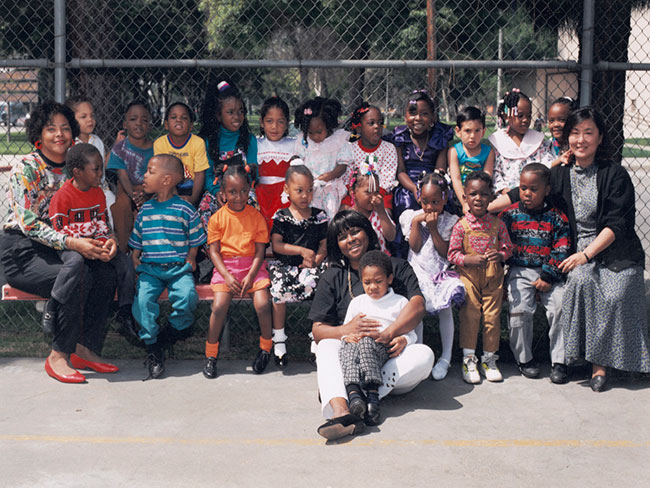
(317, 441)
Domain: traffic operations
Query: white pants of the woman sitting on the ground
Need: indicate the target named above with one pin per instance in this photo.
(400, 374)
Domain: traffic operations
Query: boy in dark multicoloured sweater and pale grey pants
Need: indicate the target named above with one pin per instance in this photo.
(540, 234)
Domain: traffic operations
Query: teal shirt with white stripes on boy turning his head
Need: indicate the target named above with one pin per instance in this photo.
(165, 231)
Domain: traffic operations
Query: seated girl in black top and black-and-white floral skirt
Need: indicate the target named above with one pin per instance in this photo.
(298, 239)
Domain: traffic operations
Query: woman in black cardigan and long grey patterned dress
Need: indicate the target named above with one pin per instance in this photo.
(604, 308)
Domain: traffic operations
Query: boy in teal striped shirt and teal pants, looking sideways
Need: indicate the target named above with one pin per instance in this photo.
(165, 239)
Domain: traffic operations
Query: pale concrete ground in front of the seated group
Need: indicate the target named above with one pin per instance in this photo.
(243, 430)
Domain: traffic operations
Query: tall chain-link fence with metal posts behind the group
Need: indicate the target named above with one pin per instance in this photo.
(465, 52)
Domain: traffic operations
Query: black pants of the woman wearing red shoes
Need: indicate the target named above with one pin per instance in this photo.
(86, 296)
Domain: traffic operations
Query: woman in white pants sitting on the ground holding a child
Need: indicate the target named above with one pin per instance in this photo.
(350, 236)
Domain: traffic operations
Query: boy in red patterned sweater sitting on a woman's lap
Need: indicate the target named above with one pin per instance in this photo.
(78, 209)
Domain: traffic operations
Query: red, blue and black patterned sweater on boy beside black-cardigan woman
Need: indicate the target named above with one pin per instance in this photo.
(540, 238)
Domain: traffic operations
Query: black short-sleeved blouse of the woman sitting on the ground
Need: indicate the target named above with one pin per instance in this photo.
(332, 297)
